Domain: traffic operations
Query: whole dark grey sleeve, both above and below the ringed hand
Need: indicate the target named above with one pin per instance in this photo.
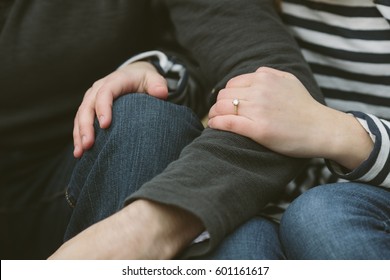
(224, 178)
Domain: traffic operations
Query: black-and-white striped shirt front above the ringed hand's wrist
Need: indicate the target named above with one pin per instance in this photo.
(347, 44)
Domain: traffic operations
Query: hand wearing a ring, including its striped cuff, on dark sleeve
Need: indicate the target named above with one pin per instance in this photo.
(276, 111)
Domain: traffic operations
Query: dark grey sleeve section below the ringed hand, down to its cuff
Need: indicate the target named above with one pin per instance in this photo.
(222, 178)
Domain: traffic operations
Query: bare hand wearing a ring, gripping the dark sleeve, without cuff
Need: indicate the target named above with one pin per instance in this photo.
(277, 111)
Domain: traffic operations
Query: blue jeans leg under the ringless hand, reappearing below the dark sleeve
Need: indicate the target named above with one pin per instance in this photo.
(145, 136)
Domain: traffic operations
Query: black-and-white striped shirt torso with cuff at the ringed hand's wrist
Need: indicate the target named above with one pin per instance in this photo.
(347, 45)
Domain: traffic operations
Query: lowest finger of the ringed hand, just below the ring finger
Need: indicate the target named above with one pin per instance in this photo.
(236, 124)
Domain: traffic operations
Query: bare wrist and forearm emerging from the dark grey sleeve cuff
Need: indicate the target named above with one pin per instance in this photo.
(141, 230)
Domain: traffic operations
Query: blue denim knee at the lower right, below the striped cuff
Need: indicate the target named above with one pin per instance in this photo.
(338, 221)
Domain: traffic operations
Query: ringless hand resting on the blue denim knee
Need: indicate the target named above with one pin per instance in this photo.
(98, 100)
